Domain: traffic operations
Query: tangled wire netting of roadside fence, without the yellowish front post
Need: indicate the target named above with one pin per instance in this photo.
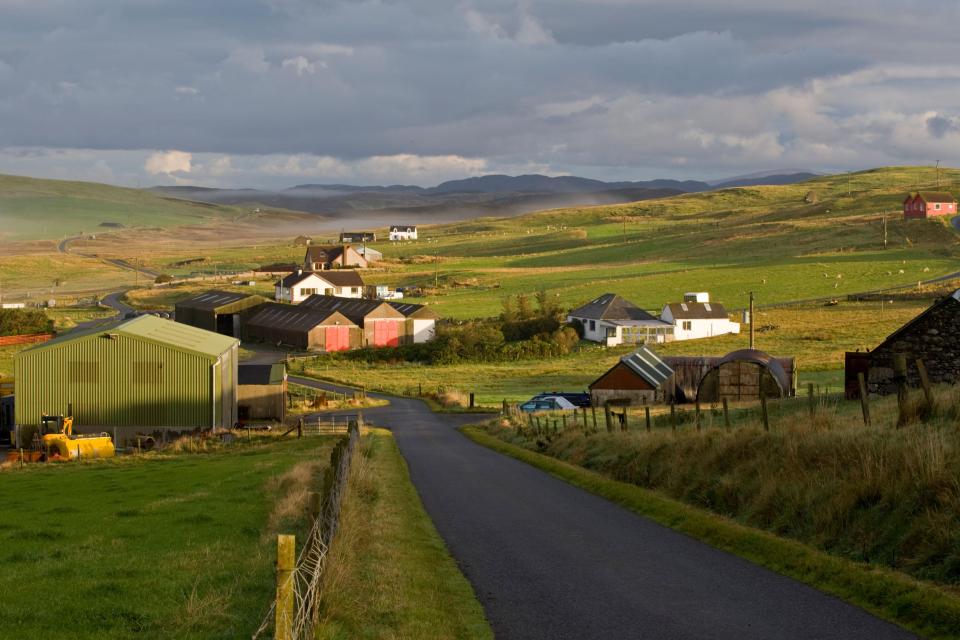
(308, 570)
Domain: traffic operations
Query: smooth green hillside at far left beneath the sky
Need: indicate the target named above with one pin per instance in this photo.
(35, 209)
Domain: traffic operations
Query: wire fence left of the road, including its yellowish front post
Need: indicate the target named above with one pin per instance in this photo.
(294, 612)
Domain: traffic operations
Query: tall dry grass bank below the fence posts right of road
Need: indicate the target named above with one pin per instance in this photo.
(878, 495)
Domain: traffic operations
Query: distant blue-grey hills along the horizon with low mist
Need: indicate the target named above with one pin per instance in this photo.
(480, 196)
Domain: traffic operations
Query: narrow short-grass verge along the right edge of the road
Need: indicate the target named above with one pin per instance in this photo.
(920, 607)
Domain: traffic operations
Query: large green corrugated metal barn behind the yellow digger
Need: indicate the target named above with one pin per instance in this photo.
(139, 375)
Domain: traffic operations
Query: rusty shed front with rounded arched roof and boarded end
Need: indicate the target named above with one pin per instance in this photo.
(745, 375)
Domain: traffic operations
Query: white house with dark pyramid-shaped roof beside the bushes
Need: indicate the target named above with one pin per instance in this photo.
(612, 320)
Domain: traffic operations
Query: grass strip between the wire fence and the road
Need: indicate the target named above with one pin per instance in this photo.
(390, 575)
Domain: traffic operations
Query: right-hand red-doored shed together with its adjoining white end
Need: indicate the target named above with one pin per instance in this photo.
(385, 324)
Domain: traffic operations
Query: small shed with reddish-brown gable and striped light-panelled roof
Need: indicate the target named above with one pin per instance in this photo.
(637, 379)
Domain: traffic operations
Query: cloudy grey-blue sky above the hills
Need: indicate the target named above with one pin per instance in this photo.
(272, 93)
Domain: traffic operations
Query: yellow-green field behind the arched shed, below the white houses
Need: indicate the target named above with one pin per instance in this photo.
(816, 335)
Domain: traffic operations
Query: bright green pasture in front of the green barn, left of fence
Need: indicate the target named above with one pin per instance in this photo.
(155, 546)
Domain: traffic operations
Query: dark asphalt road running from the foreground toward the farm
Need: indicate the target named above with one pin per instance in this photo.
(548, 560)
